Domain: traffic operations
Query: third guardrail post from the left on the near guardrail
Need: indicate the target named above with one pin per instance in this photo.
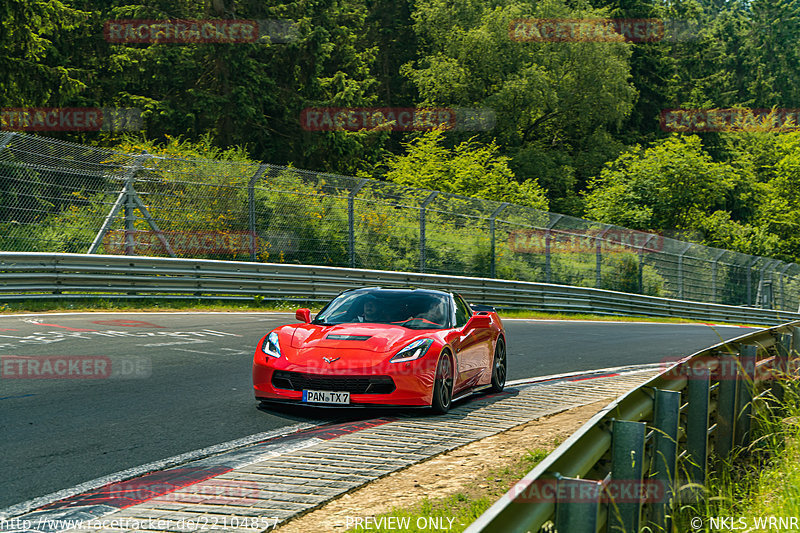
(666, 420)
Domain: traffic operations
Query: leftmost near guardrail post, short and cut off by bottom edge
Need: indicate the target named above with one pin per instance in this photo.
(577, 505)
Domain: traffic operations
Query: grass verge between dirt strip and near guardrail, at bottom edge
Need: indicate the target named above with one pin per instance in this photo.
(456, 512)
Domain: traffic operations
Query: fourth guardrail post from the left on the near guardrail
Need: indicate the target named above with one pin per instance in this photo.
(697, 425)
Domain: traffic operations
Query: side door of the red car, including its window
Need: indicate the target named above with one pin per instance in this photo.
(473, 347)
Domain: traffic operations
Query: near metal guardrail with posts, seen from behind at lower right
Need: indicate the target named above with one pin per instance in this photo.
(658, 439)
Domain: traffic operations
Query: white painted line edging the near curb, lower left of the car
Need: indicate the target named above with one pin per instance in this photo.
(30, 505)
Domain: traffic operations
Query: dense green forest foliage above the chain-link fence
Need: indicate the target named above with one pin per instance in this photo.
(577, 124)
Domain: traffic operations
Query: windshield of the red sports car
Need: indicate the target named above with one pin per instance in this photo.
(410, 309)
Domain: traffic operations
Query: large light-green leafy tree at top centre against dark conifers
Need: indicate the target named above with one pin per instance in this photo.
(554, 101)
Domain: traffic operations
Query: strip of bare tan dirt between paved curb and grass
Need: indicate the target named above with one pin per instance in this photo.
(465, 470)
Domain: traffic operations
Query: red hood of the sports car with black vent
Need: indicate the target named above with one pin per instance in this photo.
(379, 338)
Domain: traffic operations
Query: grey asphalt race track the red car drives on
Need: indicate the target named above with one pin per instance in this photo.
(157, 385)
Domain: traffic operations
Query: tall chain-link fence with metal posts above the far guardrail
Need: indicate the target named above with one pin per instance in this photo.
(63, 197)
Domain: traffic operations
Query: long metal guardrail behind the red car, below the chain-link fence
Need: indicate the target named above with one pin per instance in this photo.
(32, 275)
